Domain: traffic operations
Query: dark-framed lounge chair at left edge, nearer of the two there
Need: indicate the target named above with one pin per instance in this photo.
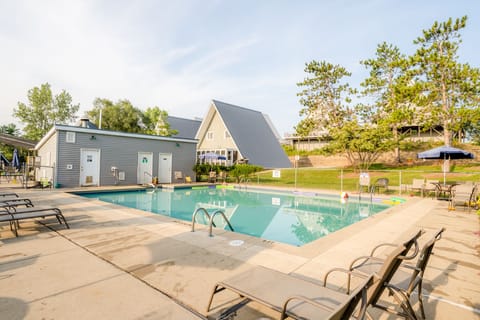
(14, 215)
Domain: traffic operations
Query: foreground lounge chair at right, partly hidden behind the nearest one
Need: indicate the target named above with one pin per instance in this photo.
(407, 278)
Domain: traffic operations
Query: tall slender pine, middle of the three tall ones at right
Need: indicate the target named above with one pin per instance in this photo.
(389, 87)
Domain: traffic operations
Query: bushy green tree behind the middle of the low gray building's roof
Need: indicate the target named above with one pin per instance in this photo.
(119, 116)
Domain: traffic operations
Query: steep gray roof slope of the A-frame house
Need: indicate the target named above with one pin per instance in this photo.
(252, 135)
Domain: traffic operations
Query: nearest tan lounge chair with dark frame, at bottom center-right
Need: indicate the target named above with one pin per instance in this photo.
(301, 299)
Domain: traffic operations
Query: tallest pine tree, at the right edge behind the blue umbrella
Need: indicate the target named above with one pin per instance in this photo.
(450, 88)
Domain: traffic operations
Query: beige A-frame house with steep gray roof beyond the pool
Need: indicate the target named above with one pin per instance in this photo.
(231, 134)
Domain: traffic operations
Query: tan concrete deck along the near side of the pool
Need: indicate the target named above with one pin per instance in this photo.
(123, 263)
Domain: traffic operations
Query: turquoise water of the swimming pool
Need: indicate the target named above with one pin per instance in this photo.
(294, 219)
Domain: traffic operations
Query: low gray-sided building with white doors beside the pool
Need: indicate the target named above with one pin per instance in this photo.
(72, 156)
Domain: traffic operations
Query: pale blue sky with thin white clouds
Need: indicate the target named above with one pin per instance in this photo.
(179, 55)
